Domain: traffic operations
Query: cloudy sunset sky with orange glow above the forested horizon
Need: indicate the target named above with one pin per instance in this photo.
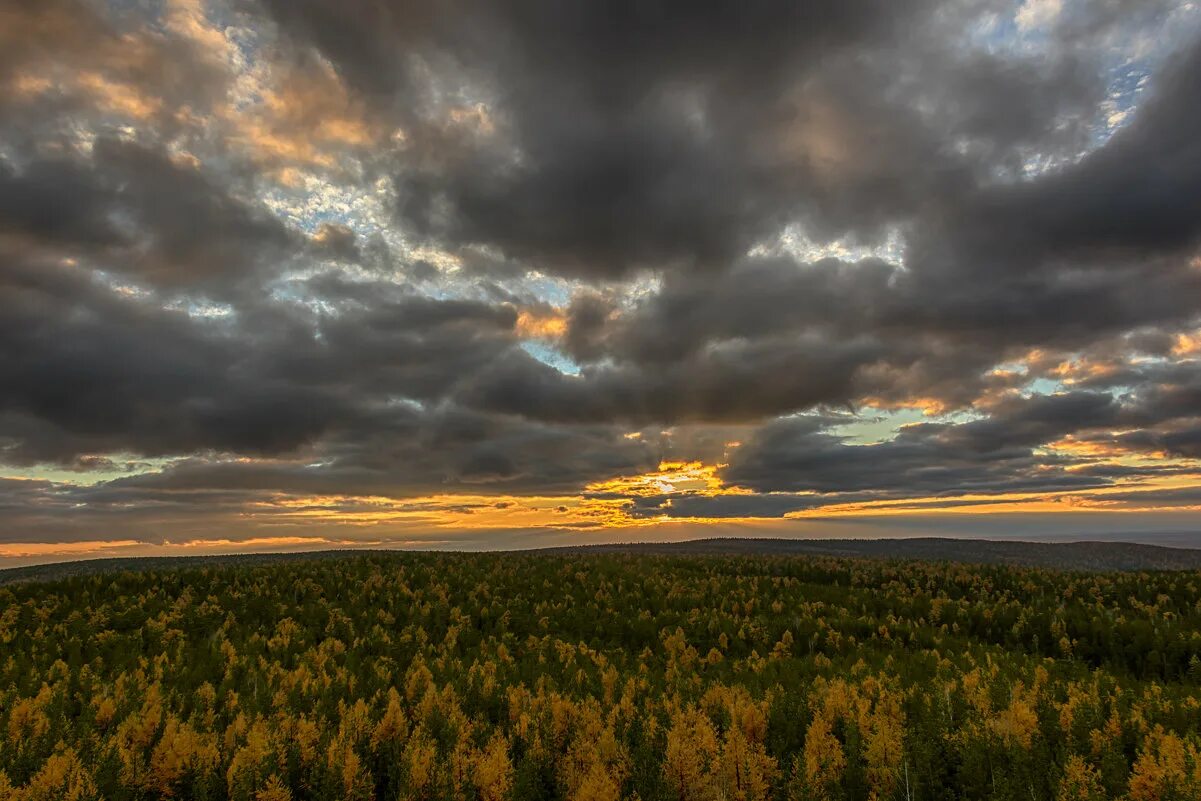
(489, 274)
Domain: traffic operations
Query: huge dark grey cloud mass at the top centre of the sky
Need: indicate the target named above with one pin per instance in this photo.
(637, 136)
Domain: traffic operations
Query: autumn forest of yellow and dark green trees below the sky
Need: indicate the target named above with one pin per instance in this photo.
(605, 677)
